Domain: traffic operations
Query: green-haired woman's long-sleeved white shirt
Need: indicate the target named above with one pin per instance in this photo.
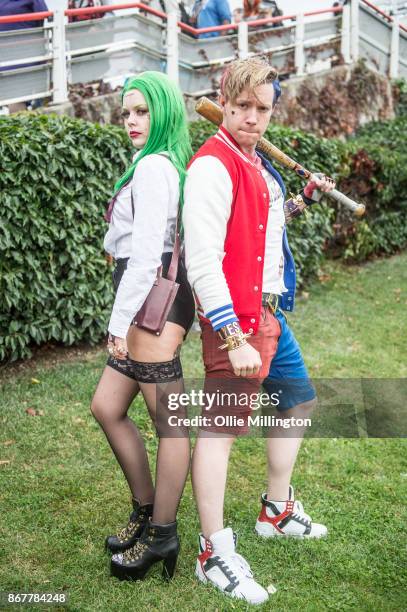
(155, 188)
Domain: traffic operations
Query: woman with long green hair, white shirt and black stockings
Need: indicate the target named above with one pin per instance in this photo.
(143, 222)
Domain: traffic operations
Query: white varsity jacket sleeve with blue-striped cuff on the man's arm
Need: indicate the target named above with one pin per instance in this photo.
(208, 199)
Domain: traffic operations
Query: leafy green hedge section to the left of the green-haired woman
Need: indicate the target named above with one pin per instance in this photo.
(56, 175)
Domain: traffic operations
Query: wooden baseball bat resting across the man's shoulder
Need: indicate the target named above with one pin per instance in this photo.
(213, 113)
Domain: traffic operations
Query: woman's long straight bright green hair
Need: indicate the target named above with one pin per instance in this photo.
(168, 123)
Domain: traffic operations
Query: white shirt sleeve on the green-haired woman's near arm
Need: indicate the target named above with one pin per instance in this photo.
(152, 187)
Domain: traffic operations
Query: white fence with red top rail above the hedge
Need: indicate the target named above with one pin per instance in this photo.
(41, 62)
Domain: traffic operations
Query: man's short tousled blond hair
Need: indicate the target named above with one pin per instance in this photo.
(246, 74)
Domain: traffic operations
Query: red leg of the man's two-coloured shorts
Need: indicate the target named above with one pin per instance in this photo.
(231, 395)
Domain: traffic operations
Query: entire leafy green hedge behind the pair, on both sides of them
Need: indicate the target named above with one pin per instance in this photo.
(57, 174)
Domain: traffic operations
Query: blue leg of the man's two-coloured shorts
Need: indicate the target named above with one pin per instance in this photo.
(288, 375)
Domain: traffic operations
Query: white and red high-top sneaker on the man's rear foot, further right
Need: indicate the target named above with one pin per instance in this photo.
(287, 518)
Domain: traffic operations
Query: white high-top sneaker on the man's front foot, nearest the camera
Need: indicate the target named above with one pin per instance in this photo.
(219, 563)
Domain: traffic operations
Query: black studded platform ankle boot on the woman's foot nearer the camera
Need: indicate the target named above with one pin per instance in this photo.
(158, 543)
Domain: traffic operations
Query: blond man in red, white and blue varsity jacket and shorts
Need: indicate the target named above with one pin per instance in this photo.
(242, 272)
